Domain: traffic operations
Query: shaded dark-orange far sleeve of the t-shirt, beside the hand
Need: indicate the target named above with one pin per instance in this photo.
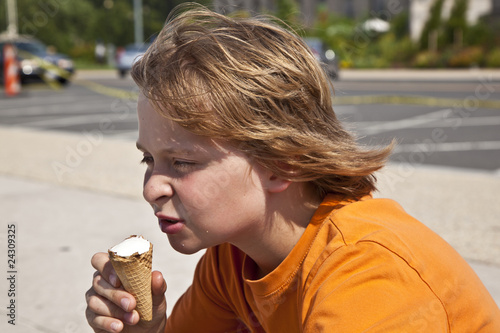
(203, 308)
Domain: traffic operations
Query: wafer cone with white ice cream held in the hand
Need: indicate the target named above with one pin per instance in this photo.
(134, 271)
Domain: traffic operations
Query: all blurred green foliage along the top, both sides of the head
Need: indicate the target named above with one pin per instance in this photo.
(75, 26)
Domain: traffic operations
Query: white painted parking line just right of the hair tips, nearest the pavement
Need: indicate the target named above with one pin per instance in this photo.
(447, 146)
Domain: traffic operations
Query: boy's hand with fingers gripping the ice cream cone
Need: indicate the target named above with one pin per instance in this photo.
(111, 309)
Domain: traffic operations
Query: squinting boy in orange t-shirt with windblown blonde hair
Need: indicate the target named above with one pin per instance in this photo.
(245, 158)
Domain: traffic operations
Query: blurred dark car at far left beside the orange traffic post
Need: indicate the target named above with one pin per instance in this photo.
(37, 61)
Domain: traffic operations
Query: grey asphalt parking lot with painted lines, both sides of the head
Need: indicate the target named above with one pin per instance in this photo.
(445, 120)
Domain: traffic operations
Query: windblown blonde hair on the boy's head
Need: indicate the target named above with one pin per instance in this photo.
(257, 85)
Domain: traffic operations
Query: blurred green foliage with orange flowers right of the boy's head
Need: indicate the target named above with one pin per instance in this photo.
(444, 43)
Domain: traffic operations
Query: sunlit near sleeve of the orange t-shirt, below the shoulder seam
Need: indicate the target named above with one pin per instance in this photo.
(365, 287)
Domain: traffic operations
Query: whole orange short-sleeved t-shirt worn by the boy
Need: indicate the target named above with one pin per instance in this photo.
(364, 267)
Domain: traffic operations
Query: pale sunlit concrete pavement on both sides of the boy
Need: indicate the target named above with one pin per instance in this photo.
(65, 196)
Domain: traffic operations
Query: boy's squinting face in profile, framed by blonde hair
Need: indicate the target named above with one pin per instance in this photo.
(204, 192)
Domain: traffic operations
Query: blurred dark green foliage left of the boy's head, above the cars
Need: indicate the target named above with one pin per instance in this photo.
(75, 26)
